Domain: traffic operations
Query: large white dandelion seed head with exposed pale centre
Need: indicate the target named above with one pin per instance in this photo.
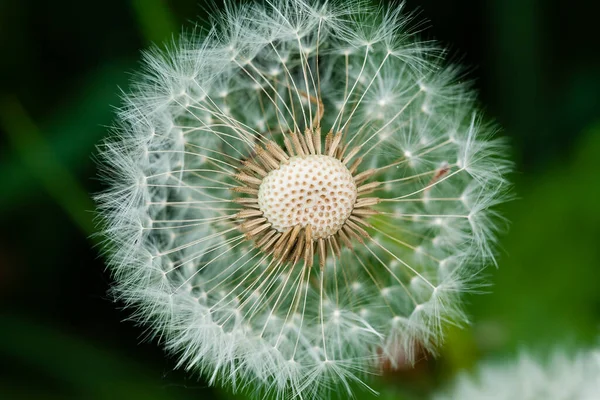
(298, 195)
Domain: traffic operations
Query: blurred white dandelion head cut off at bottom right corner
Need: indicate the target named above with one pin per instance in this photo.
(560, 377)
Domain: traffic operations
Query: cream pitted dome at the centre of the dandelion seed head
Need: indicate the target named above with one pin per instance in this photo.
(317, 190)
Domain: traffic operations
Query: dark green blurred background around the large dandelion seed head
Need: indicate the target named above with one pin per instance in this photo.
(535, 63)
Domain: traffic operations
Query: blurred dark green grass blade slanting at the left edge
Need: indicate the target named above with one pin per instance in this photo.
(45, 165)
